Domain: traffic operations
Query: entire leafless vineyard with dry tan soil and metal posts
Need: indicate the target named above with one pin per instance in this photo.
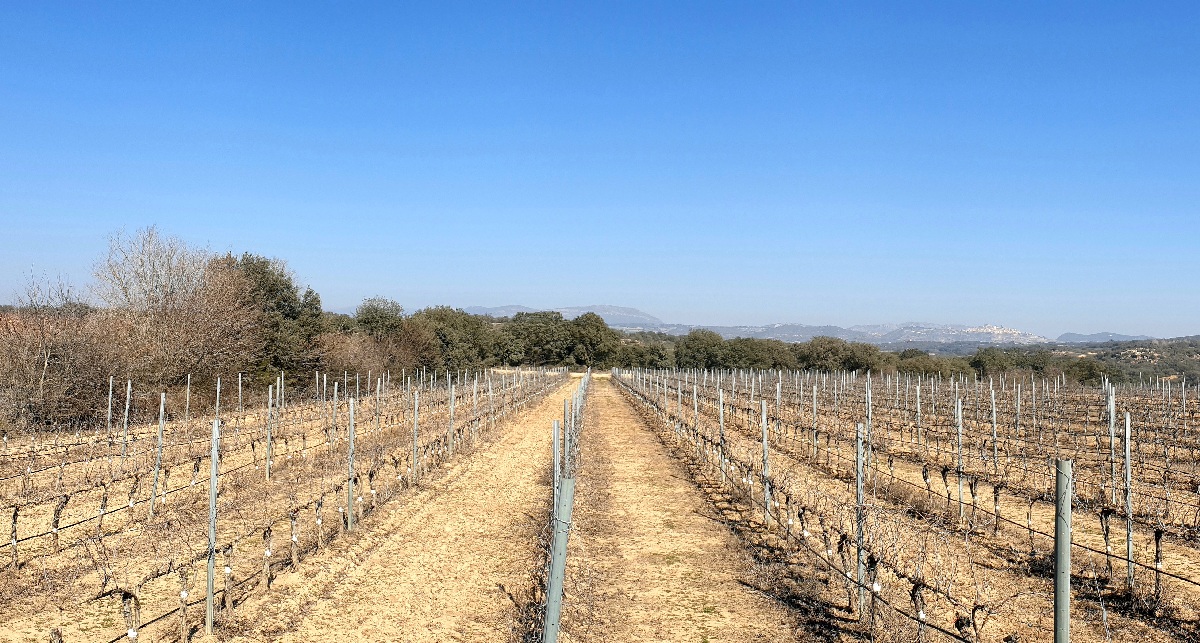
(771, 506)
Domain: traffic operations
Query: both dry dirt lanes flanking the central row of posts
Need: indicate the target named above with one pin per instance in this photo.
(649, 560)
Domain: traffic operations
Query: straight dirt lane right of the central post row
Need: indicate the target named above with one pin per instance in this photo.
(647, 558)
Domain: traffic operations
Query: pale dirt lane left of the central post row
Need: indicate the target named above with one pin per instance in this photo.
(442, 564)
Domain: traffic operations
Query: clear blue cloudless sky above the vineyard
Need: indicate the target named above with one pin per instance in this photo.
(1022, 164)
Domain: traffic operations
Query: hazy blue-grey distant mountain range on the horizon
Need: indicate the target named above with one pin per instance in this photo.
(893, 336)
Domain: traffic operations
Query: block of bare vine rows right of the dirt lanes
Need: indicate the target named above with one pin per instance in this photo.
(952, 531)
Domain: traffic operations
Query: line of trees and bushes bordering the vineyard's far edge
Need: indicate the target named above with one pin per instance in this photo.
(163, 314)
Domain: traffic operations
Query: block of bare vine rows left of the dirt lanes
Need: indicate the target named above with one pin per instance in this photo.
(119, 530)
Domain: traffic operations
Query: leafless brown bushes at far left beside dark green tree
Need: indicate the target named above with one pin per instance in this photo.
(172, 311)
